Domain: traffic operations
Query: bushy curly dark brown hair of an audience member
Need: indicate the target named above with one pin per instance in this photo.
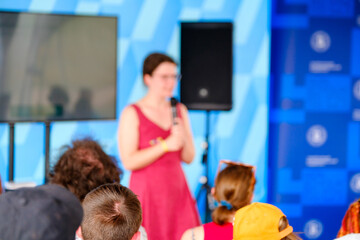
(83, 167)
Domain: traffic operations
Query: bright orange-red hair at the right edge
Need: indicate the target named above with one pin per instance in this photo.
(351, 220)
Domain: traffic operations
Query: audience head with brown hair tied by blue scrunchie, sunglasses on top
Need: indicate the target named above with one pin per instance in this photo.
(234, 186)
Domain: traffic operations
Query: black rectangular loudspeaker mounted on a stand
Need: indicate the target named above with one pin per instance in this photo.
(206, 65)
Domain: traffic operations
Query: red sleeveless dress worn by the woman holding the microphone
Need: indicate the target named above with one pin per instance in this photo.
(167, 205)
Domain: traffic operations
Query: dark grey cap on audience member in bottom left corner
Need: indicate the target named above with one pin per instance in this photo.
(48, 212)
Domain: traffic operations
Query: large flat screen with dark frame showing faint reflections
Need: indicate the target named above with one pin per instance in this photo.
(57, 67)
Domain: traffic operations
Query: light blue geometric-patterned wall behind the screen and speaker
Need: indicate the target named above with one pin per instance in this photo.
(153, 25)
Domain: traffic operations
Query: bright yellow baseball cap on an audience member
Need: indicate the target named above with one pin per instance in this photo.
(259, 221)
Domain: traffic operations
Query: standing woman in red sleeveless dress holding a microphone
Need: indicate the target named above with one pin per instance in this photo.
(152, 145)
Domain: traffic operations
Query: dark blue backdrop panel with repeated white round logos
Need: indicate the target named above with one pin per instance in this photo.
(314, 112)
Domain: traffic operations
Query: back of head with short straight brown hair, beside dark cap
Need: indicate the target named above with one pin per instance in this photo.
(111, 212)
